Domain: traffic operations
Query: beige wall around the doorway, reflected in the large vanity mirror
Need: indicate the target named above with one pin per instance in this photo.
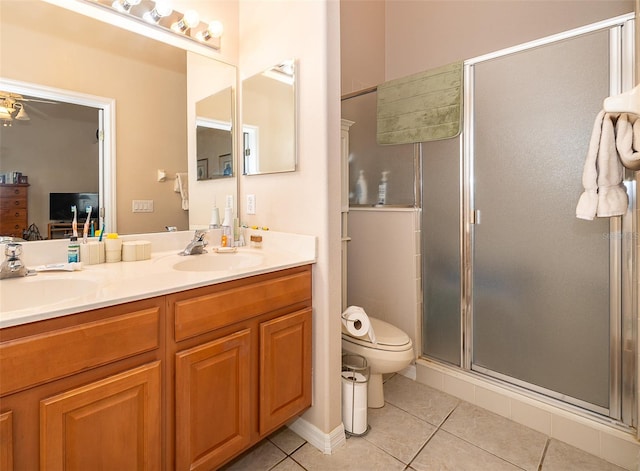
(146, 82)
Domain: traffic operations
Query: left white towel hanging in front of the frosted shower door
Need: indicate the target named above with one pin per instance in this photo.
(604, 194)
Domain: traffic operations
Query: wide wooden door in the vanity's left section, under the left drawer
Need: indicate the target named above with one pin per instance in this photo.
(114, 423)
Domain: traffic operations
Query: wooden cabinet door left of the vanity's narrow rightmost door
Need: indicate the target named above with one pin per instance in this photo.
(213, 404)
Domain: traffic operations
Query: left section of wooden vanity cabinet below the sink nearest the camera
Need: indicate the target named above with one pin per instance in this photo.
(84, 391)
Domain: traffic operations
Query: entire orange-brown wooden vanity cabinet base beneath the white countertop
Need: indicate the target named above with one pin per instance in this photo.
(184, 380)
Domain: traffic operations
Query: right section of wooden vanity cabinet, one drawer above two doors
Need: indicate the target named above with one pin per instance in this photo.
(242, 364)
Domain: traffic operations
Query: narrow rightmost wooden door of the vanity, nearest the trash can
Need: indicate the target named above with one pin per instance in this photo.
(285, 368)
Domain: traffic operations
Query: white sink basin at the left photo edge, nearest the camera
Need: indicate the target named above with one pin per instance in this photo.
(20, 293)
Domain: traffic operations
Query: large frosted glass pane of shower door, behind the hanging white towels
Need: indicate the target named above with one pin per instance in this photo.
(541, 276)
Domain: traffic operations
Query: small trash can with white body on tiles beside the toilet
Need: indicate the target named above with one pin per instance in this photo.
(355, 380)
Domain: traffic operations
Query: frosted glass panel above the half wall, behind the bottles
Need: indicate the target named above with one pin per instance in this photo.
(365, 154)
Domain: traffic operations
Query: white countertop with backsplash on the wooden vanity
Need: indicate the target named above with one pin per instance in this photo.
(53, 294)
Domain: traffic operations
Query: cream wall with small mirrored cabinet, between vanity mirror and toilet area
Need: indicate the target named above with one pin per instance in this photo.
(306, 201)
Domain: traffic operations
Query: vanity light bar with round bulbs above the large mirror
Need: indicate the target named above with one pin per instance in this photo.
(160, 13)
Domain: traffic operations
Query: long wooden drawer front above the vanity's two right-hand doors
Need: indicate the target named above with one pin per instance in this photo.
(207, 312)
